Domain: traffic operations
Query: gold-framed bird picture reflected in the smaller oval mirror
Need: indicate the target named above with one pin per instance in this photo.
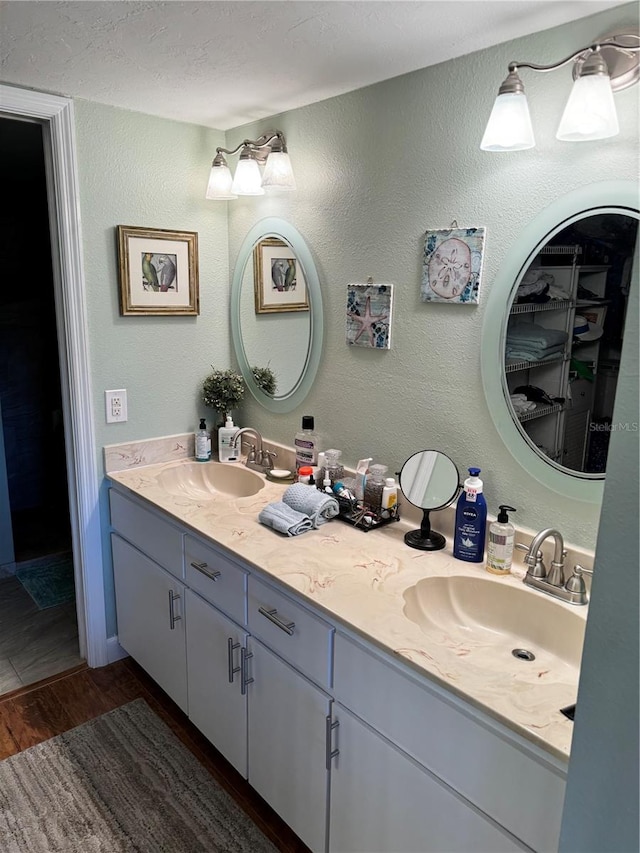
(278, 278)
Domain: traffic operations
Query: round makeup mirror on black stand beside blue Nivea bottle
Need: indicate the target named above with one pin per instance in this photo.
(429, 480)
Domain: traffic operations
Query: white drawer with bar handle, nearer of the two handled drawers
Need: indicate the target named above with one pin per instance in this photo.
(292, 631)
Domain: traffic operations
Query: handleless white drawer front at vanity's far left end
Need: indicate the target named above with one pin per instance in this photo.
(159, 539)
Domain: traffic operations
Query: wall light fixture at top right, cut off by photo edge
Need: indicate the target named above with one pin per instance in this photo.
(599, 70)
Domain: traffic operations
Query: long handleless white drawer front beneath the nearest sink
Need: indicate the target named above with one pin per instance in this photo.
(468, 752)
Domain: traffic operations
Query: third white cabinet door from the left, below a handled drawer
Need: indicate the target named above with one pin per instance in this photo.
(287, 744)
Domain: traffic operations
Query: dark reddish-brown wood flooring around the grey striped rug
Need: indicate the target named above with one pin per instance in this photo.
(36, 713)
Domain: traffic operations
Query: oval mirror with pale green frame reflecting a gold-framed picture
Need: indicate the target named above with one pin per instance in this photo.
(276, 313)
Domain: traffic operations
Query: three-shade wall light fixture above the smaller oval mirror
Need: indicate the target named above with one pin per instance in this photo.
(270, 150)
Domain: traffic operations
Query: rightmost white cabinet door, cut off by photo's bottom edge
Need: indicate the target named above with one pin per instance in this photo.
(382, 801)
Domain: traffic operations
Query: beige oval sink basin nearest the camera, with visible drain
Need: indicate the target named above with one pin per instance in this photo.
(497, 624)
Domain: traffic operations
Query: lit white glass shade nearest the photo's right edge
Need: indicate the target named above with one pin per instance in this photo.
(590, 112)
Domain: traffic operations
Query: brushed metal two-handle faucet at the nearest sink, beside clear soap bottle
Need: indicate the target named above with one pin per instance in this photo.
(553, 582)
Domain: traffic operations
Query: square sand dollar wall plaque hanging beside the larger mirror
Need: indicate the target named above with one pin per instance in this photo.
(452, 265)
